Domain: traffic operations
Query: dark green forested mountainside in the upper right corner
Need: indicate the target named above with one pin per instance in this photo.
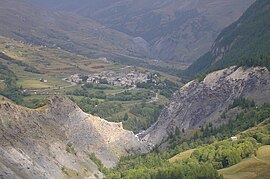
(243, 42)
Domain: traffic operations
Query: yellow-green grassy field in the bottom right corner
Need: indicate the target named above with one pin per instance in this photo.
(254, 167)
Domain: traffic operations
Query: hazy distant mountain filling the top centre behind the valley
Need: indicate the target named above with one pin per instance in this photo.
(178, 30)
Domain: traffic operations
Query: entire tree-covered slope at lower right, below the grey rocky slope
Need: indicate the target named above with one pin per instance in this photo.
(213, 149)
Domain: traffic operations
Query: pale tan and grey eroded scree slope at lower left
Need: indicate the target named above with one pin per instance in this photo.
(56, 140)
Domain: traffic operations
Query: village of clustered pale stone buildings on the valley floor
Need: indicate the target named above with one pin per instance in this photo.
(112, 78)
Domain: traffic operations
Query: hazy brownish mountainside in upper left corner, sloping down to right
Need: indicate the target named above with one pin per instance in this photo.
(23, 21)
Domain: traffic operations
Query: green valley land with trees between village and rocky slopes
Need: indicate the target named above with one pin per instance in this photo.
(136, 107)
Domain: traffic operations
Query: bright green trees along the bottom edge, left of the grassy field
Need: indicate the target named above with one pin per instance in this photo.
(146, 169)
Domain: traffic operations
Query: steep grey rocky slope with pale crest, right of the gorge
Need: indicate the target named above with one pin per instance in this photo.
(200, 102)
